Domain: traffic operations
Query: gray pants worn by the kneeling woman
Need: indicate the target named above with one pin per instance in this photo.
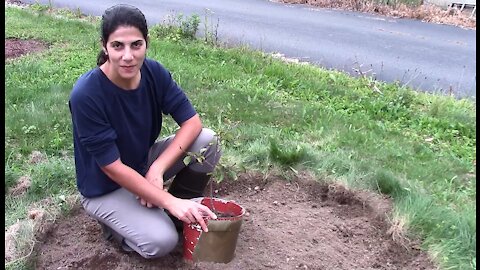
(149, 231)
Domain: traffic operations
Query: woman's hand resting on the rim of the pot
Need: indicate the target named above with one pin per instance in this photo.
(190, 212)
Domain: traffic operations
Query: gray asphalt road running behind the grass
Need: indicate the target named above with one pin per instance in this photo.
(425, 56)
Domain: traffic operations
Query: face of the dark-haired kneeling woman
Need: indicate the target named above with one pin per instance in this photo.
(126, 50)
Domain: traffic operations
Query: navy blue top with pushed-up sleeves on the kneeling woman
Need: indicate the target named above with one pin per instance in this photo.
(111, 123)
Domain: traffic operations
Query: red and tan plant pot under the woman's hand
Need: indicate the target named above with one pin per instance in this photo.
(219, 243)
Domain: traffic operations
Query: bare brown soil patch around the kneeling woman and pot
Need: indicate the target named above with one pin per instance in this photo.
(300, 224)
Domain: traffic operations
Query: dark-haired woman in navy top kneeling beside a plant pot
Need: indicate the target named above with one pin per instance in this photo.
(116, 111)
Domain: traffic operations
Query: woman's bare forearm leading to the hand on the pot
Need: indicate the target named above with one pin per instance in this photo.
(137, 184)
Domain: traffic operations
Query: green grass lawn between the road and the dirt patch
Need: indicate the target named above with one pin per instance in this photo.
(272, 116)
